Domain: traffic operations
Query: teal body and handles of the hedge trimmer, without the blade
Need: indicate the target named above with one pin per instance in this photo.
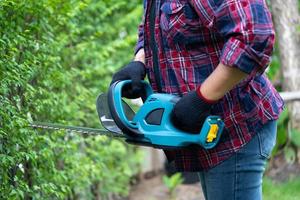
(151, 124)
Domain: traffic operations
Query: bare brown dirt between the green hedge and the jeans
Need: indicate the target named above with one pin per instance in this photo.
(154, 189)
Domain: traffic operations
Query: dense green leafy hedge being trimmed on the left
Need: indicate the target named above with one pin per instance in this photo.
(55, 57)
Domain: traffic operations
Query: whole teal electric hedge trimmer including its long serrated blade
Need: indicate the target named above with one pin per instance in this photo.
(149, 126)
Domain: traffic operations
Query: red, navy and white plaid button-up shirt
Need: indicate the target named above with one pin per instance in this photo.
(192, 37)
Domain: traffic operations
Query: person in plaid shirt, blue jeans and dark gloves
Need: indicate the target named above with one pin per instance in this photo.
(214, 54)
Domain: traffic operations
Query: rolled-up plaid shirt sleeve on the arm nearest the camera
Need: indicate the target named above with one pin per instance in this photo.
(246, 26)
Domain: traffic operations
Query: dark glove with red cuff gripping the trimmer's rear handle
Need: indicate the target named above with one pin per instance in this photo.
(190, 112)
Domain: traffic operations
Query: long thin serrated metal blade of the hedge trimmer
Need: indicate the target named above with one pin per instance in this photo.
(77, 129)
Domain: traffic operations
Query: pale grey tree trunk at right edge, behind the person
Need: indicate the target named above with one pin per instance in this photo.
(286, 20)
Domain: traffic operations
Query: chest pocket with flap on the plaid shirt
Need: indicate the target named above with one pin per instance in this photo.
(179, 23)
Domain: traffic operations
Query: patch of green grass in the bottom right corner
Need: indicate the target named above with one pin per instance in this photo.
(289, 190)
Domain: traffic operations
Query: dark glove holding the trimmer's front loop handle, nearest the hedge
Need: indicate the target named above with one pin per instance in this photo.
(134, 71)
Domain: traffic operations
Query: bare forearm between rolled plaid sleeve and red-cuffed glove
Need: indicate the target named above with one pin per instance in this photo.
(223, 79)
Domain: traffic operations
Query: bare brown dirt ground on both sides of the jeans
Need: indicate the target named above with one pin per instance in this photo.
(154, 189)
